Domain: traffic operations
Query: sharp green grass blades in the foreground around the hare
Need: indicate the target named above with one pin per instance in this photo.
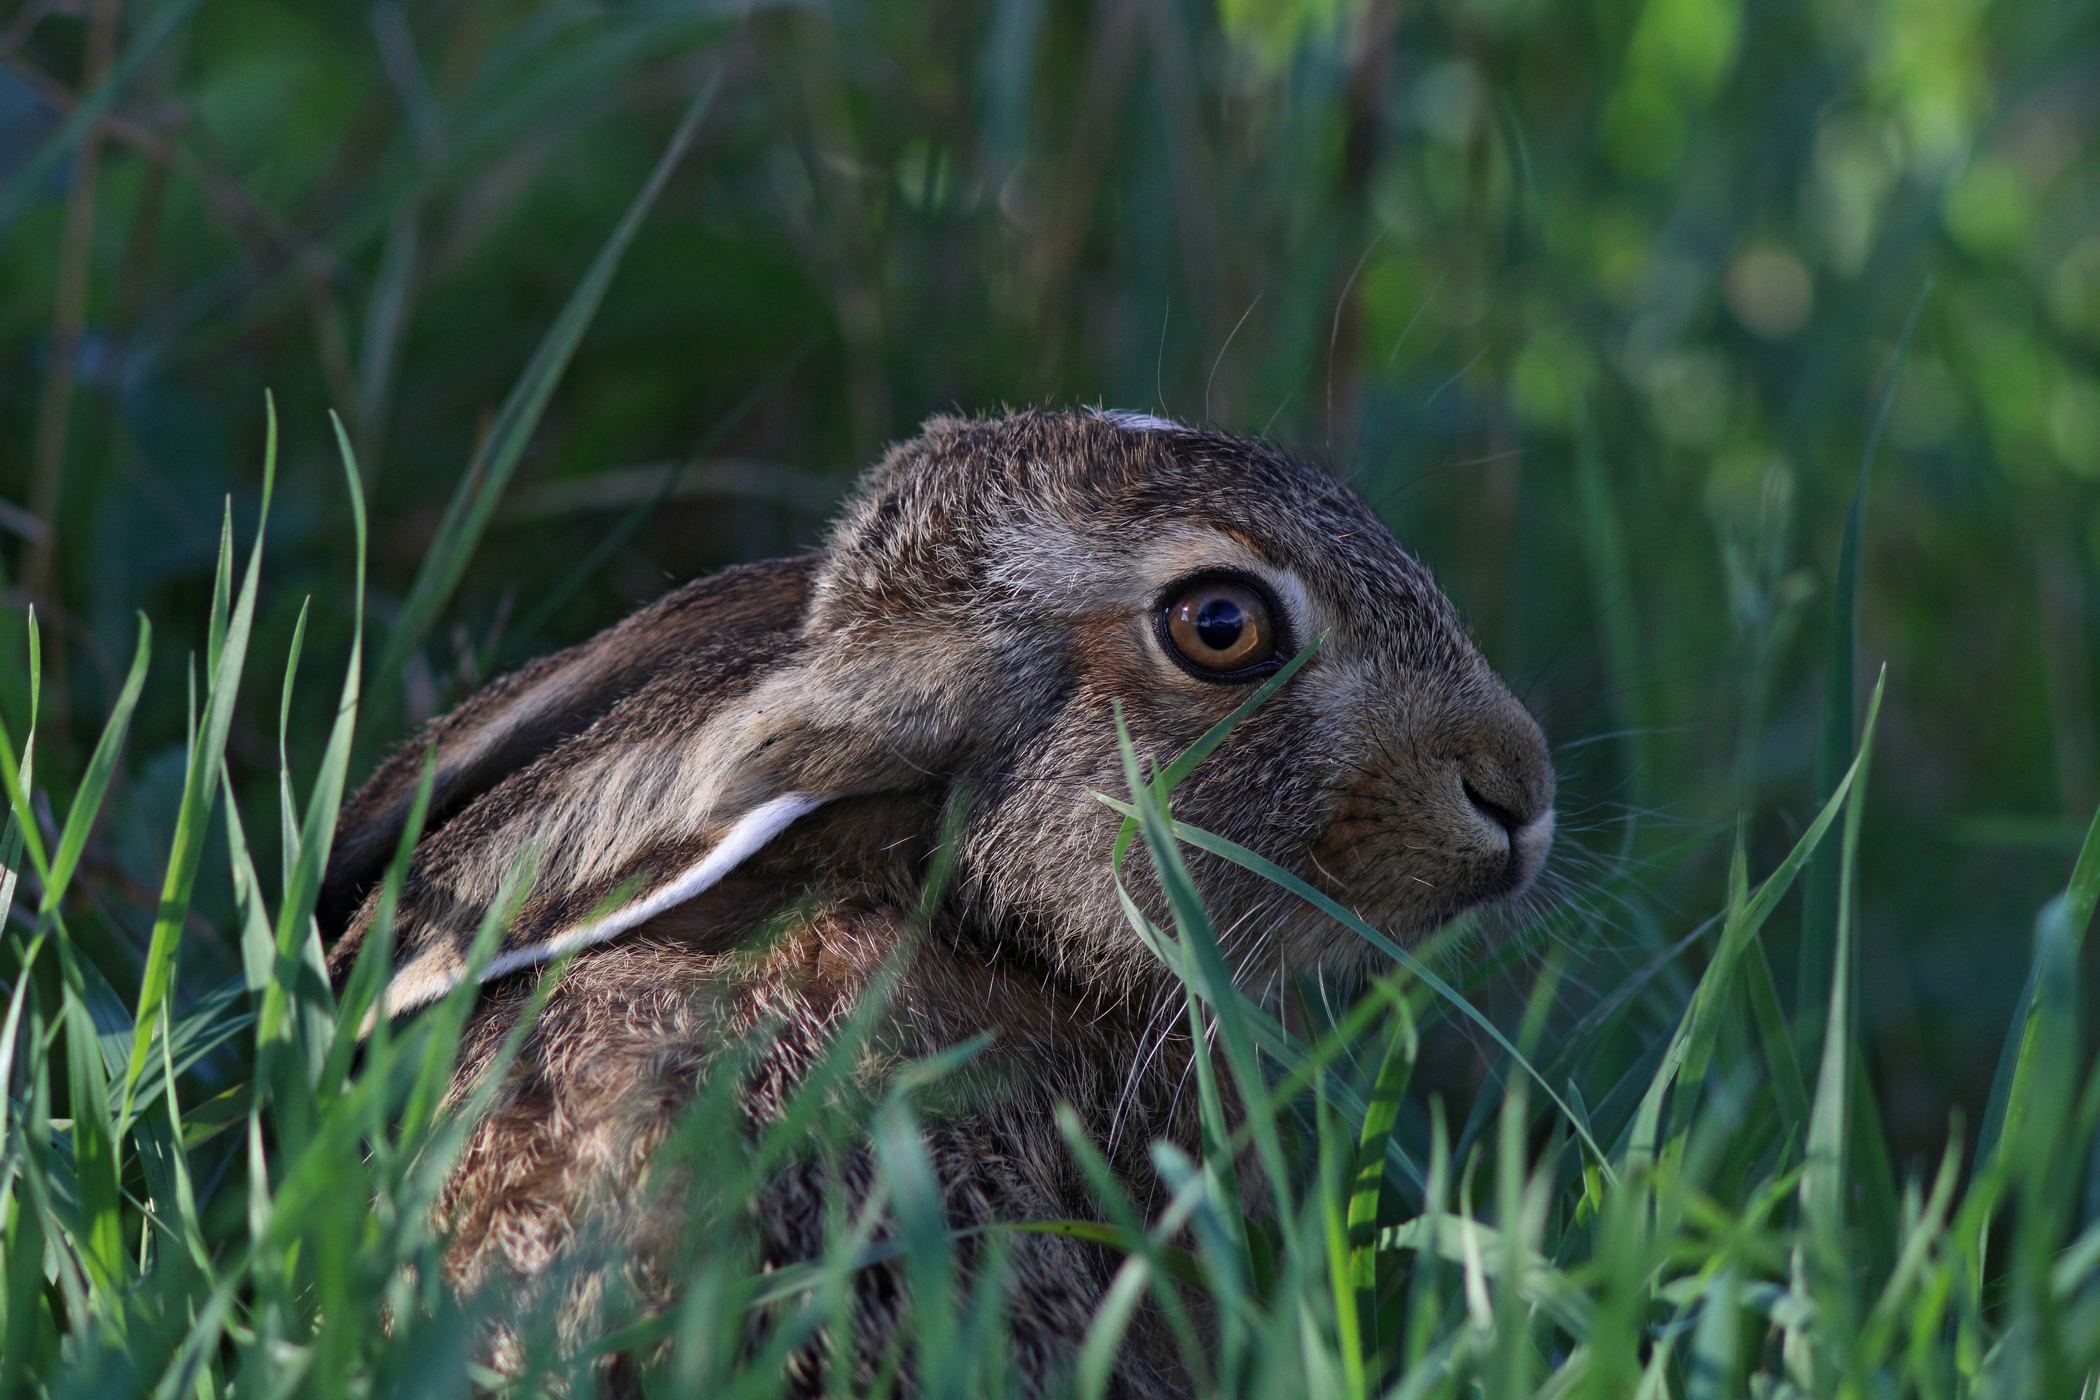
(1704, 1223)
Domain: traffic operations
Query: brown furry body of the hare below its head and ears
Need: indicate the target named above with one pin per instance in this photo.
(574, 1149)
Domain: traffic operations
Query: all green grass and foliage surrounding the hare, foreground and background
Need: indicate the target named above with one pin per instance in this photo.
(1757, 1101)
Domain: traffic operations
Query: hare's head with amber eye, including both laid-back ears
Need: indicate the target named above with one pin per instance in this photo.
(992, 599)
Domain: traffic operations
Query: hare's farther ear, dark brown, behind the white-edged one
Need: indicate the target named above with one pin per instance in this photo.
(526, 715)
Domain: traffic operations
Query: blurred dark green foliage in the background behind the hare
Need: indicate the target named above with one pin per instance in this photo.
(1595, 301)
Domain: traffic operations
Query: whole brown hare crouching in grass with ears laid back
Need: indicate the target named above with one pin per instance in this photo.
(789, 744)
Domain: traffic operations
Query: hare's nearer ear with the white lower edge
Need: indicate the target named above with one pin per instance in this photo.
(671, 790)
